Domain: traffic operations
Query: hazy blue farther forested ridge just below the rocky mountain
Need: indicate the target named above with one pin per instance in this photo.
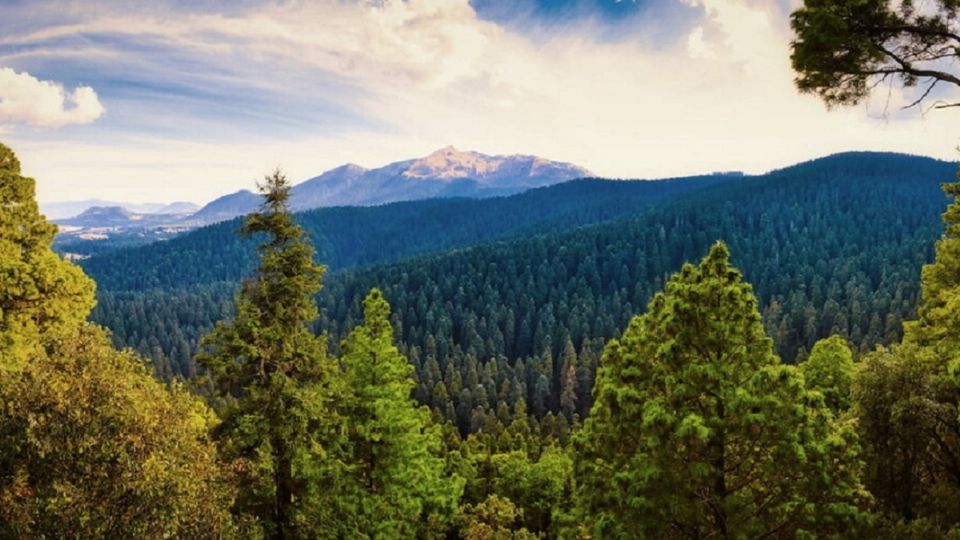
(357, 236)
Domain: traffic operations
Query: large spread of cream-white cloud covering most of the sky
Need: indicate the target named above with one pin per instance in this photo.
(432, 73)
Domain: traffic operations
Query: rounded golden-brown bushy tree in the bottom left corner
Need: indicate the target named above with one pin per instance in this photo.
(92, 446)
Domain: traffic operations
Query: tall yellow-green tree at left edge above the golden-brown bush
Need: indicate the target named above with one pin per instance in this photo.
(39, 292)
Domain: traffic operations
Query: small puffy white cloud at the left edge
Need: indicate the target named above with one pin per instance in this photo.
(24, 99)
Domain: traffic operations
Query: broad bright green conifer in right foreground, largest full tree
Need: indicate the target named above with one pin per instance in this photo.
(697, 430)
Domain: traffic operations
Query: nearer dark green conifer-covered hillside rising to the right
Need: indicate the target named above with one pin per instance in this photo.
(831, 246)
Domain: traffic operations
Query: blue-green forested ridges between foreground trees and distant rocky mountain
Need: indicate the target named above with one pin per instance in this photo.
(851, 229)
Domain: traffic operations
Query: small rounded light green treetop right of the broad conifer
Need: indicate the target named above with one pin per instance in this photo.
(829, 369)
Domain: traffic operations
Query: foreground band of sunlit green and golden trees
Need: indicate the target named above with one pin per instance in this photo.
(698, 428)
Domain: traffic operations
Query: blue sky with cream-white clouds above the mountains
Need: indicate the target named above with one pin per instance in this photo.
(187, 100)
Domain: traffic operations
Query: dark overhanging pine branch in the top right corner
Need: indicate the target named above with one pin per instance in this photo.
(845, 48)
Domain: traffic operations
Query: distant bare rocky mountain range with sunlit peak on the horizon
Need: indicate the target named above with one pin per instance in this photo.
(446, 173)
